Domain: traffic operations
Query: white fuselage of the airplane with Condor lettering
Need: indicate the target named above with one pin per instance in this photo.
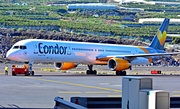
(38, 50)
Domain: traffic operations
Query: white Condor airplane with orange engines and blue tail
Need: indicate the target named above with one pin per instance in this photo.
(68, 54)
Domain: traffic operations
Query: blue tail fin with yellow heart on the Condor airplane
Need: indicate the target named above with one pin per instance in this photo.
(160, 37)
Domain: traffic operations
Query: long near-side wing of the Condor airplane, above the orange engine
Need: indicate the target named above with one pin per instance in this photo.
(132, 56)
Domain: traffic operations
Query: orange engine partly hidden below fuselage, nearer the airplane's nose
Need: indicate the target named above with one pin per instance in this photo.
(64, 65)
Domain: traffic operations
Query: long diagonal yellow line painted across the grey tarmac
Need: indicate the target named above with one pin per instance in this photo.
(74, 84)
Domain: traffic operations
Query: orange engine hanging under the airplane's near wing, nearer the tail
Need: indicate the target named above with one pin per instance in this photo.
(118, 64)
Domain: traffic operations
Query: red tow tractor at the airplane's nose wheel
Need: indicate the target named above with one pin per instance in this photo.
(22, 69)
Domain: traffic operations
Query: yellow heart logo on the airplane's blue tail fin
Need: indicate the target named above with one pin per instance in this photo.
(161, 37)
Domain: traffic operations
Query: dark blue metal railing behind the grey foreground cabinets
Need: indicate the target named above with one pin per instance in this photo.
(99, 102)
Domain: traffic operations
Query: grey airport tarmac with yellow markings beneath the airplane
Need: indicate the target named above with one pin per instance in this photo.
(38, 91)
